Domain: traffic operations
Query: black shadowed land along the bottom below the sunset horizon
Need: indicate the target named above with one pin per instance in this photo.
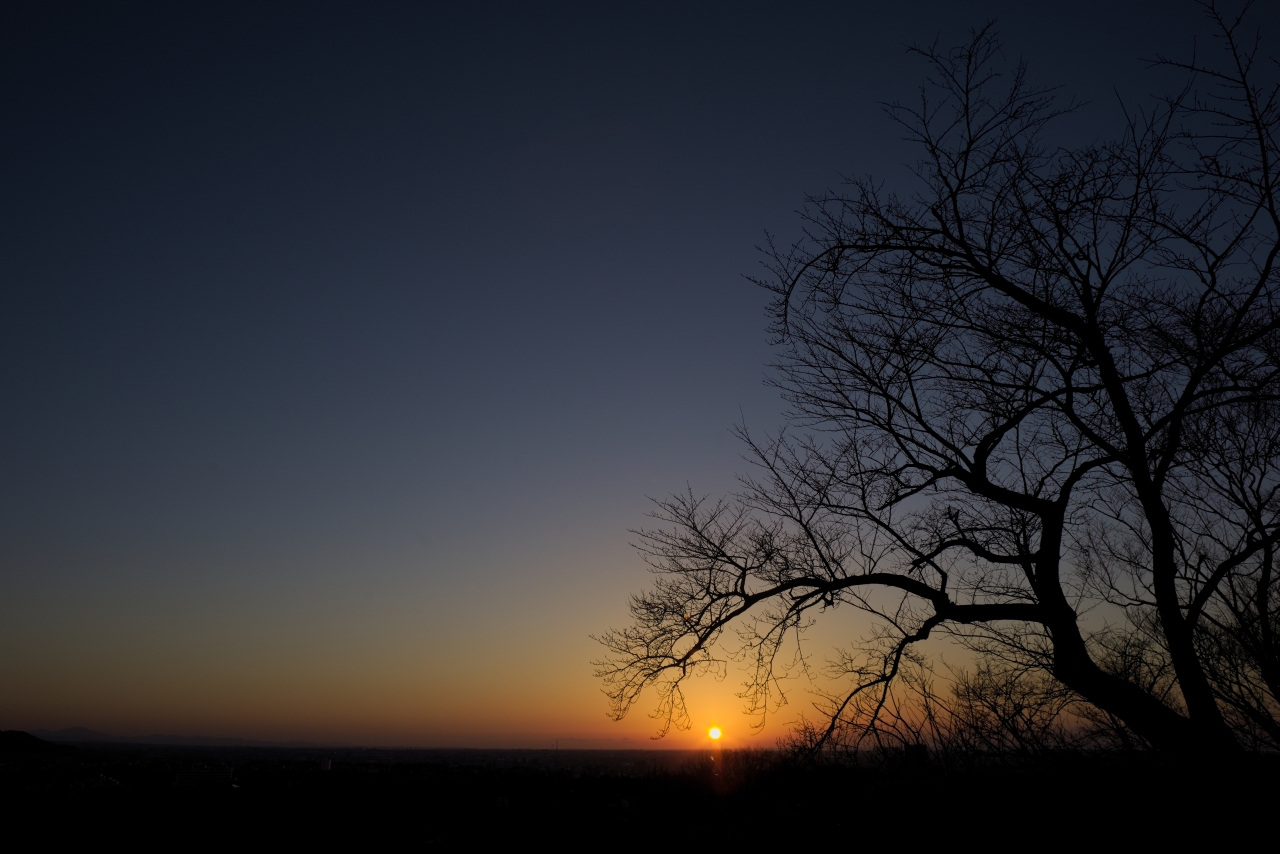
(625, 800)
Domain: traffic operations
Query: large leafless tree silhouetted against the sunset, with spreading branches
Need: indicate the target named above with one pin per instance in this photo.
(1035, 407)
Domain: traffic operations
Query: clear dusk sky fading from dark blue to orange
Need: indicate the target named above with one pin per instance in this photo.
(344, 345)
